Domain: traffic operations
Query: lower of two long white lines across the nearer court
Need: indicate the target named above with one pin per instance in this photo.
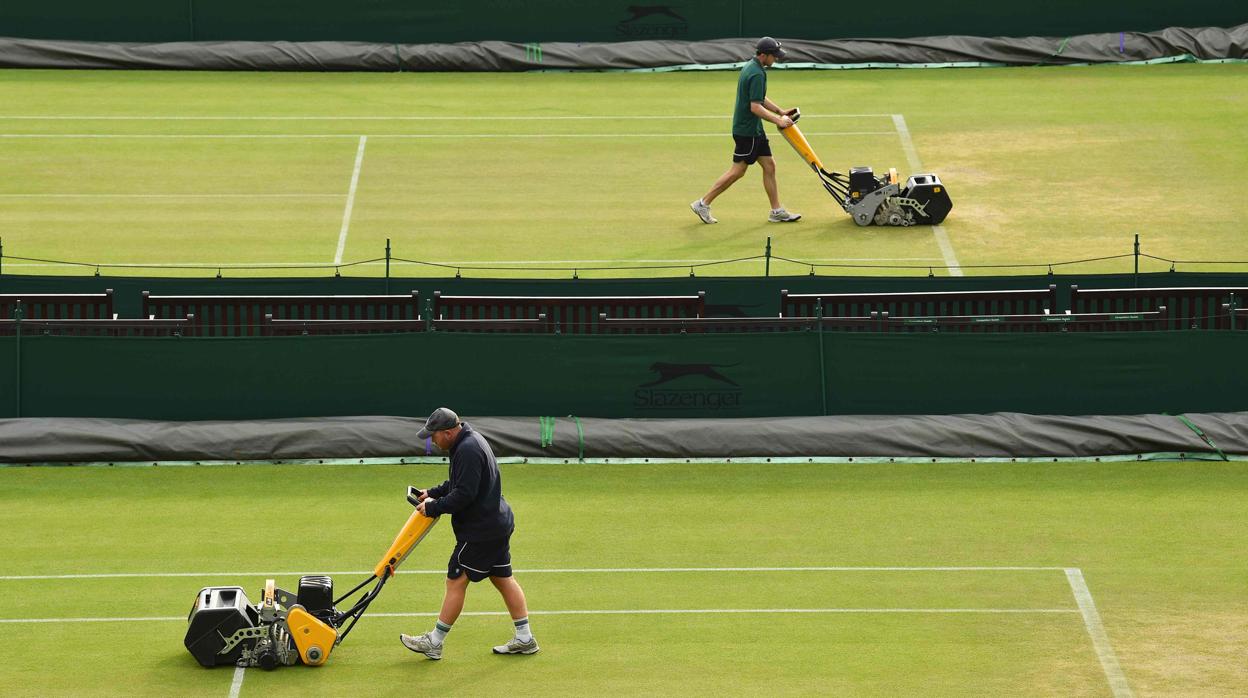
(600, 612)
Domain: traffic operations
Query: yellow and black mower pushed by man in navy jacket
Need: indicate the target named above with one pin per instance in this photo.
(290, 629)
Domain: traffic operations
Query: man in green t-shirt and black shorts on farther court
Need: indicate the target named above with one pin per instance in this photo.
(751, 143)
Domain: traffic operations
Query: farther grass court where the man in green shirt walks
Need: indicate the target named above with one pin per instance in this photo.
(531, 170)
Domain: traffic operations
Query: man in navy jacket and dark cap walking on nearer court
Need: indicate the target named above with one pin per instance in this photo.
(484, 525)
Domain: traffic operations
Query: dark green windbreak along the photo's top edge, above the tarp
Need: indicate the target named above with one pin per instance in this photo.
(407, 22)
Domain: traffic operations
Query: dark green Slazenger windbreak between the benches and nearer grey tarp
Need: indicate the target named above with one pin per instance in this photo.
(637, 376)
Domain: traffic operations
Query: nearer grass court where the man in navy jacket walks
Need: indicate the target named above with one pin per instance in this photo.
(1159, 545)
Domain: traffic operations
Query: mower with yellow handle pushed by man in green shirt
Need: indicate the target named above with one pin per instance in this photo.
(869, 199)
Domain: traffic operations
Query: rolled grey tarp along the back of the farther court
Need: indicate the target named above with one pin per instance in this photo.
(1175, 44)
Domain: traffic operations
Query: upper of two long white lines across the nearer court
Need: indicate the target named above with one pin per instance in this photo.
(546, 571)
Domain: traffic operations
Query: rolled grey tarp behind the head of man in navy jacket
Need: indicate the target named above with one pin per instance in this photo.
(1004, 435)
